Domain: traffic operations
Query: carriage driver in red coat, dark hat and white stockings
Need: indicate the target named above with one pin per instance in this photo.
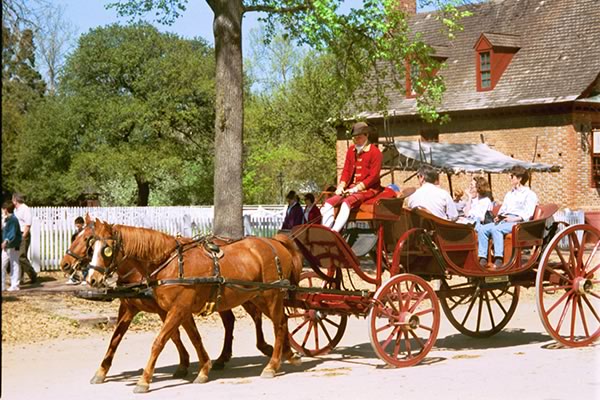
(359, 181)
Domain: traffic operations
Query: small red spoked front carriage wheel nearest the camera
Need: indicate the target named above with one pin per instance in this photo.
(404, 320)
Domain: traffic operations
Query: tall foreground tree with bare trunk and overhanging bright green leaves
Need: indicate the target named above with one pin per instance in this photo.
(377, 31)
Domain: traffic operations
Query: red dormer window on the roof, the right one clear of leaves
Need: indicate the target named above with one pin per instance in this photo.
(494, 52)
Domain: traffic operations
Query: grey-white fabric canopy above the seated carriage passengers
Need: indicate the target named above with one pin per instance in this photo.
(454, 158)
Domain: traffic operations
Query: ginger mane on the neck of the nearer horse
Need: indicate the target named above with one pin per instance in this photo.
(144, 244)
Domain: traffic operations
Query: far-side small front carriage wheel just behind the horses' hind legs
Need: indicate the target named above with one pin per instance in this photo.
(315, 332)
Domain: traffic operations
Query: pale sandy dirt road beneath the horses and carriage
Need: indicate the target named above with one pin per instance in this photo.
(522, 362)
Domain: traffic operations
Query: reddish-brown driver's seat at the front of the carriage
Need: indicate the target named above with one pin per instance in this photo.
(387, 205)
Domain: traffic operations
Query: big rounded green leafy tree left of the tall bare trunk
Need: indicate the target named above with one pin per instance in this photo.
(140, 112)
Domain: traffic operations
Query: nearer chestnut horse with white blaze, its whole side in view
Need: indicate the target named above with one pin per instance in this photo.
(181, 284)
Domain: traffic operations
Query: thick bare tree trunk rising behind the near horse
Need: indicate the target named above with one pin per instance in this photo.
(227, 27)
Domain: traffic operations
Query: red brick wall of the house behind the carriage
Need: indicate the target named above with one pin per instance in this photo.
(560, 142)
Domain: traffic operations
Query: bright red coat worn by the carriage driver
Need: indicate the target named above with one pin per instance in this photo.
(363, 168)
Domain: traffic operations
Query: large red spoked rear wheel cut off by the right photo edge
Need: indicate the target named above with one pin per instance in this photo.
(568, 286)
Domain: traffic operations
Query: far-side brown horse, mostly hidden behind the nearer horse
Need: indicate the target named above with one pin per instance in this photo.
(77, 259)
